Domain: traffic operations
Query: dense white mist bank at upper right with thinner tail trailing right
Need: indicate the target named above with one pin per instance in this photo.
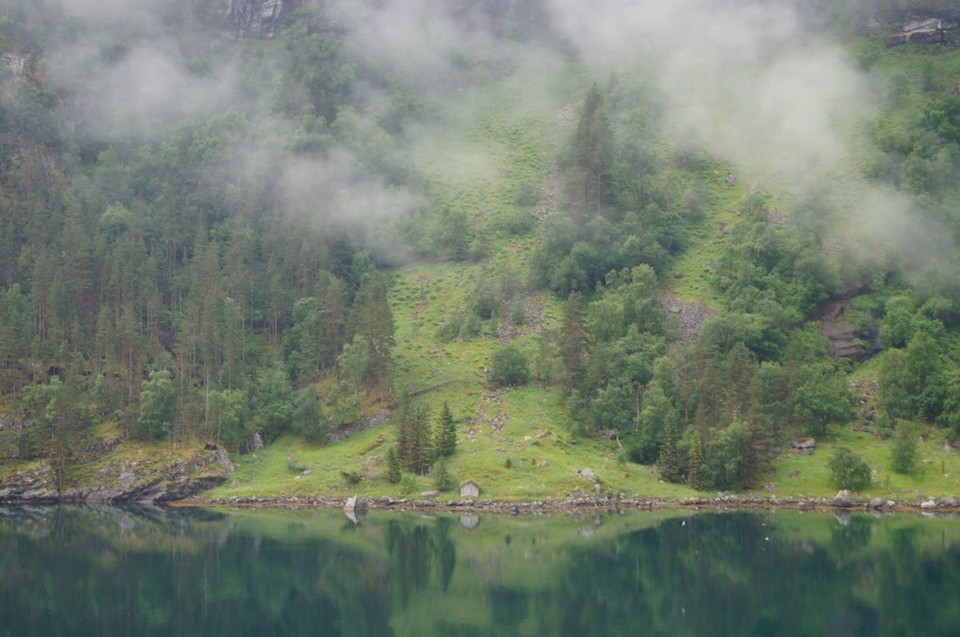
(760, 85)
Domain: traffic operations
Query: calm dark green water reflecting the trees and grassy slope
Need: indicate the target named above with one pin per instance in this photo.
(142, 571)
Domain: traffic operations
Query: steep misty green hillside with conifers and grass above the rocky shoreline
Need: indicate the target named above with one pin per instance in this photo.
(500, 239)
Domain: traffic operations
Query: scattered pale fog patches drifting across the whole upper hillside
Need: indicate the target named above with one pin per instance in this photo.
(749, 82)
